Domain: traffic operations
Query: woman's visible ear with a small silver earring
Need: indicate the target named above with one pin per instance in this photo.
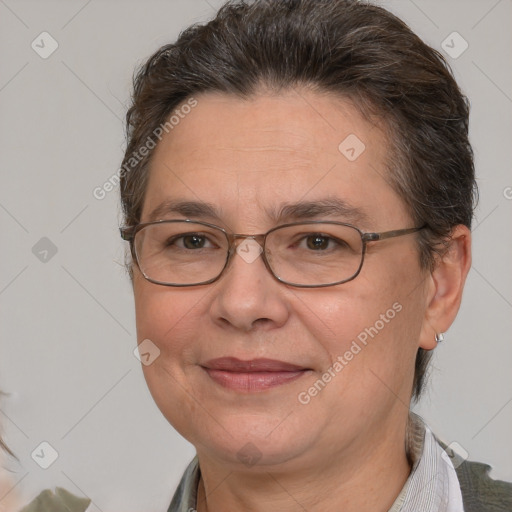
(446, 283)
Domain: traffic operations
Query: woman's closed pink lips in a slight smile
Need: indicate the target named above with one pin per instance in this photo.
(254, 375)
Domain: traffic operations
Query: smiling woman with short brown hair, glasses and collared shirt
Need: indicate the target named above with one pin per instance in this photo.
(298, 190)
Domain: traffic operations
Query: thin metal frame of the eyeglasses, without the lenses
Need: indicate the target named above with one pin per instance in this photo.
(128, 234)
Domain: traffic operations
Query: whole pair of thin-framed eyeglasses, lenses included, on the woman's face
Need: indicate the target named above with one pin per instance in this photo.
(307, 254)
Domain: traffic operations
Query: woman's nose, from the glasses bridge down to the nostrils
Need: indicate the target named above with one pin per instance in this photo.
(247, 296)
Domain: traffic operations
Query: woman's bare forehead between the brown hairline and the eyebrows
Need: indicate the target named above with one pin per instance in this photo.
(249, 156)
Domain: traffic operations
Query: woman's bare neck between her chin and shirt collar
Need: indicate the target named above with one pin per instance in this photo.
(368, 480)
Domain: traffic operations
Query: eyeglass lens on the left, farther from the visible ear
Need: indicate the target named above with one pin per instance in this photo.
(180, 253)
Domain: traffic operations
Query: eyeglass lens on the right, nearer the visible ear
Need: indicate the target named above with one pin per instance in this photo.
(315, 254)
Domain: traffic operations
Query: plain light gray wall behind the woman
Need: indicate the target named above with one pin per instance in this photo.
(67, 323)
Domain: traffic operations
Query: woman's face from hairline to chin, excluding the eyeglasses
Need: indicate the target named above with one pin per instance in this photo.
(249, 159)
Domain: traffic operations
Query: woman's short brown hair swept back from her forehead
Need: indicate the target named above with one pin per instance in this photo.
(356, 50)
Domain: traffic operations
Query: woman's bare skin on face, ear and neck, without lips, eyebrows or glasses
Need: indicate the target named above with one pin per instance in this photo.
(344, 450)
